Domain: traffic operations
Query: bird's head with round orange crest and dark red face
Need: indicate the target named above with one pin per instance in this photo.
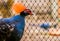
(21, 9)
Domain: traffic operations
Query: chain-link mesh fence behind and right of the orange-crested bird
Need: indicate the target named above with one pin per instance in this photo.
(45, 11)
